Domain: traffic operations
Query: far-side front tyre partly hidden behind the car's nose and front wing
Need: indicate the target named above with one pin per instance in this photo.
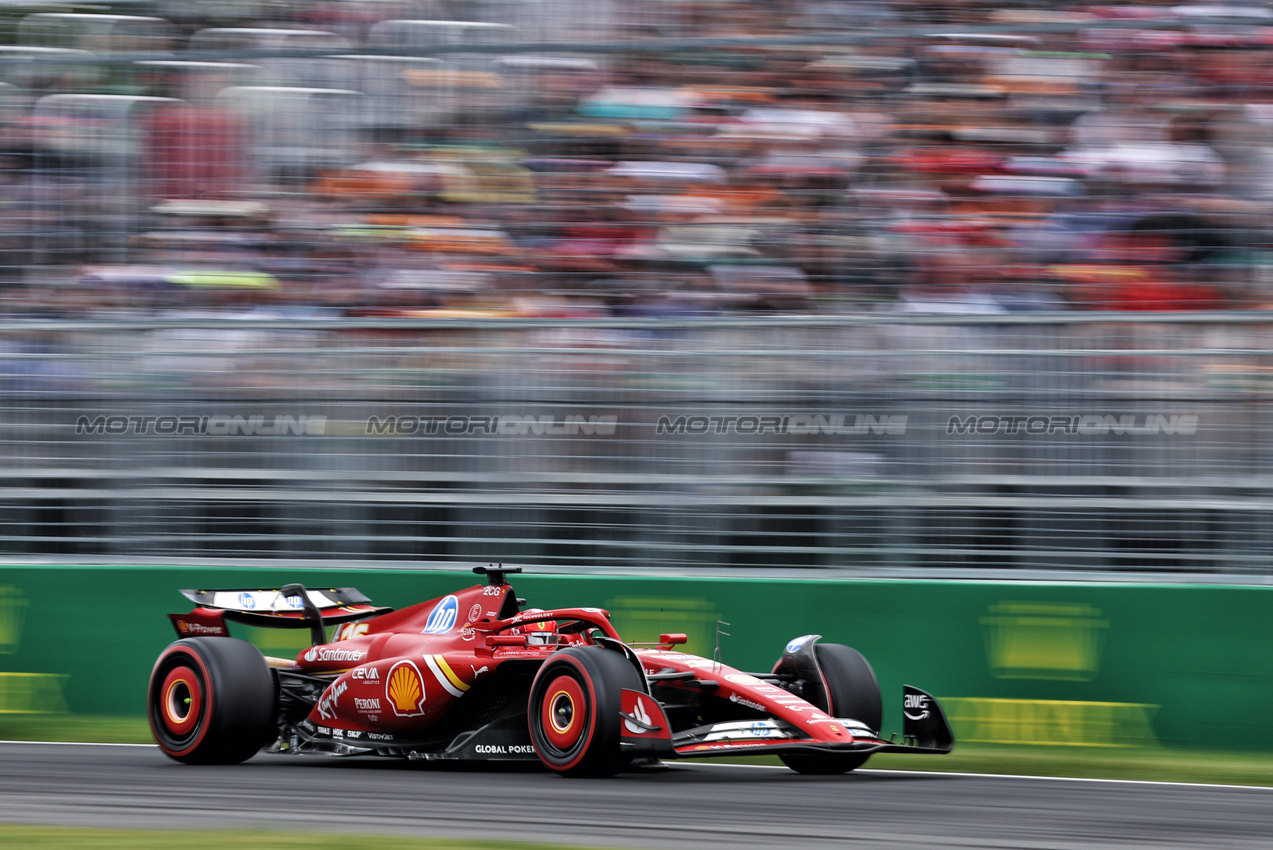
(855, 694)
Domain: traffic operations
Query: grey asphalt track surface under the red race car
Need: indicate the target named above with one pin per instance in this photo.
(683, 806)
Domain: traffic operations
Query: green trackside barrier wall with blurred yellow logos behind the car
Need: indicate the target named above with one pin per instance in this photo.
(1097, 665)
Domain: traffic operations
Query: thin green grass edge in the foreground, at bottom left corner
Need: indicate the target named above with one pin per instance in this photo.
(59, 838)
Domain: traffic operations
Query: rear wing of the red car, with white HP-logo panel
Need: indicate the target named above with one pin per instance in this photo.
(292, 606)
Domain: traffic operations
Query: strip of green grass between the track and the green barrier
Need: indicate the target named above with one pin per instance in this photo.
(1158, 764)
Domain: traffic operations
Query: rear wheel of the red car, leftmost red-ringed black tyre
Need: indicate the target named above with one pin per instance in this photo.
(212, 702)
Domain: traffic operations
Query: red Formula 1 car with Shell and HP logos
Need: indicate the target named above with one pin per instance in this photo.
(474, 678)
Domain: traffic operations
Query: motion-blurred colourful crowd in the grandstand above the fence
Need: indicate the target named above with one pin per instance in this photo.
(817, 157)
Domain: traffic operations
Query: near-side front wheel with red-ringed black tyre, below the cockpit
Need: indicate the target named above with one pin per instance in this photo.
(573, 711)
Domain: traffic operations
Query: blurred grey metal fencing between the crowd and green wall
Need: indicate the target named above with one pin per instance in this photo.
(885, 445)
